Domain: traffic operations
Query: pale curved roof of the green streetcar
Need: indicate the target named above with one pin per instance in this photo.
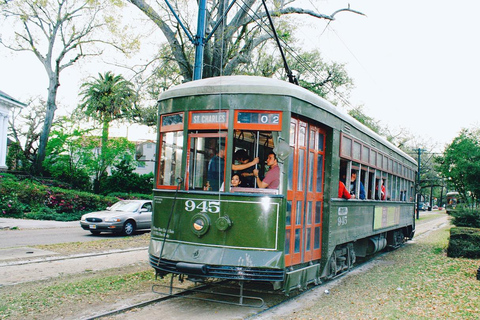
(268, 86)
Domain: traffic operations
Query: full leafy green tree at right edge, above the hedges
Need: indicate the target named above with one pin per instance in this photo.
(460, 163)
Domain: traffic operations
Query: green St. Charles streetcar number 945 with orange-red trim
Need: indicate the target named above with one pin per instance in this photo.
(206, 226)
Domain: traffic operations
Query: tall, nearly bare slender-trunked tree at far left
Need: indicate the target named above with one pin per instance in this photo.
(58, 33)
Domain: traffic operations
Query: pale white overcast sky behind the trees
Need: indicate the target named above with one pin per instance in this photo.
(415, 64)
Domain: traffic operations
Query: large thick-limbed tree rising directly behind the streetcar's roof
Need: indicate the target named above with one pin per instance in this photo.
(233, 44)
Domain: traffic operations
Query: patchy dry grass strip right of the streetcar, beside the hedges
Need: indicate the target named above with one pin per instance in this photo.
(417, 281)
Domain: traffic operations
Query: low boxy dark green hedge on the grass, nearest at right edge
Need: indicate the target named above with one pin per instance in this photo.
(464, 242)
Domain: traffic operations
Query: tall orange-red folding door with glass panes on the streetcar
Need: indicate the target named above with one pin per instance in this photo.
(305, 193)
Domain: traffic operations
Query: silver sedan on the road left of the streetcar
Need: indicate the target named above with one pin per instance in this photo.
(125, 216)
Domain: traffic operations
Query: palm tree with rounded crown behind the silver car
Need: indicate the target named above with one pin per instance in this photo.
(108, 98)
